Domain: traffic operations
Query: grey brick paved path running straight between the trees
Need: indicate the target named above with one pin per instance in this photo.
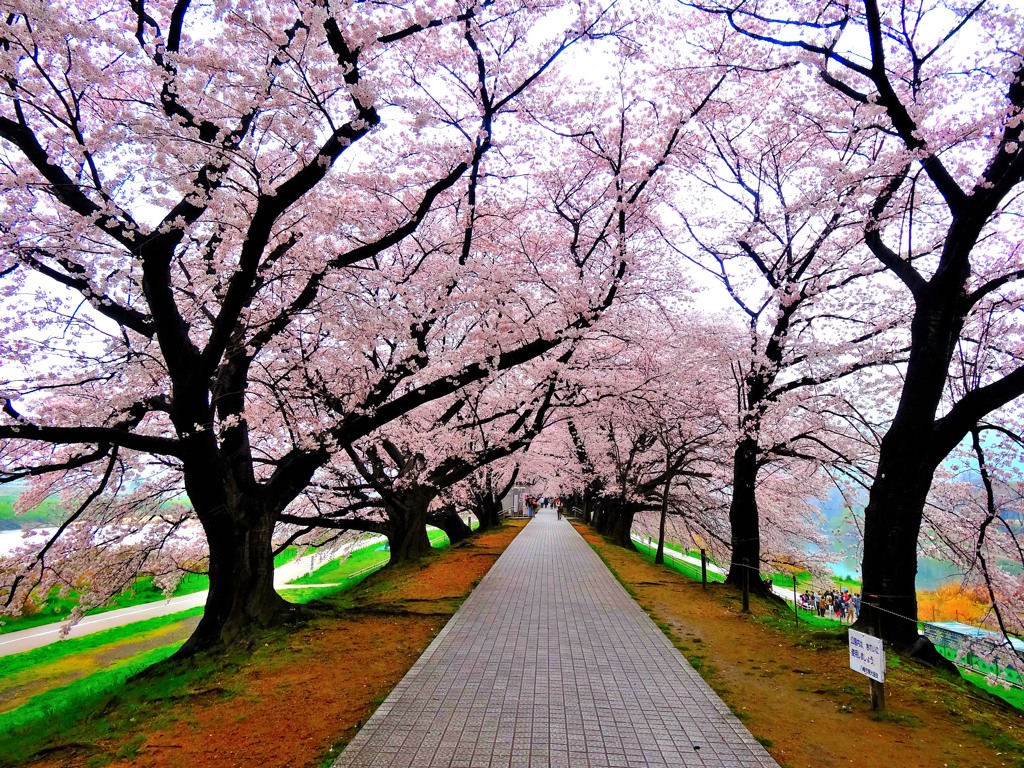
(550, 663)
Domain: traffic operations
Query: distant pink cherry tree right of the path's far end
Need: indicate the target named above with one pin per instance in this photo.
(649, 431)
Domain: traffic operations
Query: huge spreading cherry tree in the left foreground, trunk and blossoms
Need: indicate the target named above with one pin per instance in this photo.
(189, 190)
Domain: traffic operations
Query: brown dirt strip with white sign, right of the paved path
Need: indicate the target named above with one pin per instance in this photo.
(799, 697)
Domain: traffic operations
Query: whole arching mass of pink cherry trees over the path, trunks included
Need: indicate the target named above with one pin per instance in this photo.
(274, 272)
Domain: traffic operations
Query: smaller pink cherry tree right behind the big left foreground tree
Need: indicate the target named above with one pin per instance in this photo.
(392, 482)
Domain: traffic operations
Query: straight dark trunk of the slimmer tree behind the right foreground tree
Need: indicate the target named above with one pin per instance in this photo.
(744, 519)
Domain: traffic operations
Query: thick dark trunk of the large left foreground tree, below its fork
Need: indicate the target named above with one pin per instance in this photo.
(242, 595)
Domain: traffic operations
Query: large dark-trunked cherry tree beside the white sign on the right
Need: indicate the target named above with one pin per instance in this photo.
(946, 86)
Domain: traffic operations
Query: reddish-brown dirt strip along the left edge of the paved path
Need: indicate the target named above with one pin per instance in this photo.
(297, 702)
